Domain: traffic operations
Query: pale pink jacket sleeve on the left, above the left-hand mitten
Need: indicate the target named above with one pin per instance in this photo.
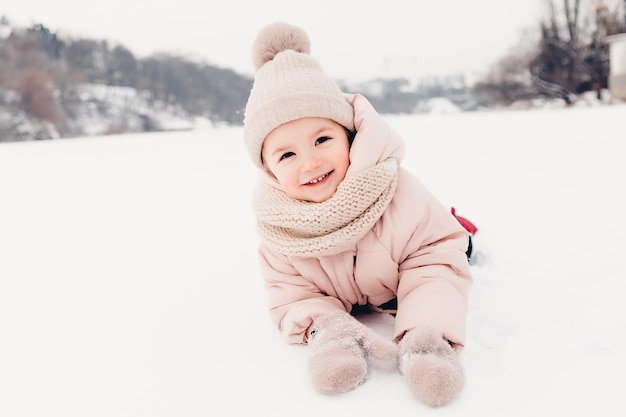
(294, 301)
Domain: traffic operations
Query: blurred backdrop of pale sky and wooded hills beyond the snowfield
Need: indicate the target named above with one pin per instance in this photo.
(74, 69)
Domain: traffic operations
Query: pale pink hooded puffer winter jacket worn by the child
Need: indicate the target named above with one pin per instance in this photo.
(415, 253)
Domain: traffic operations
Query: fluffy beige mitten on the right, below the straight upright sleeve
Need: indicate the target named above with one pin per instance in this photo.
(432, 368)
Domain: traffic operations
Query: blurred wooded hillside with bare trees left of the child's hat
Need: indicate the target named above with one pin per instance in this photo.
(41, 75)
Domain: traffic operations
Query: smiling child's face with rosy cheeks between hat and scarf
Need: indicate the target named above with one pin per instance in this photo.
(308, 157)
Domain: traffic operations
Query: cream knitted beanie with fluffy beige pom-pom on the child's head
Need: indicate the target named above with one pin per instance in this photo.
(289, 85)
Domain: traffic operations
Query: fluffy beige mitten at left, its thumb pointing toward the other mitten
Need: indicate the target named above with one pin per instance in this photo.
(339, 345)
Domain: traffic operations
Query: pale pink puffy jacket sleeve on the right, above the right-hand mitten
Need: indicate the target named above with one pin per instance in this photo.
(434, 275)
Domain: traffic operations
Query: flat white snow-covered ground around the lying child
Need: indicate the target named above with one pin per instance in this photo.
(129, 284)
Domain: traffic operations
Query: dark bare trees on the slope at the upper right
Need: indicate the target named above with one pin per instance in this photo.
(568, 57)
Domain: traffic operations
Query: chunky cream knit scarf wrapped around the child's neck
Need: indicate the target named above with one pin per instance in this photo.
(302, 228)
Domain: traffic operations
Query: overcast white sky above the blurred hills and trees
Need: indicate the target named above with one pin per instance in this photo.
(352, 39)
